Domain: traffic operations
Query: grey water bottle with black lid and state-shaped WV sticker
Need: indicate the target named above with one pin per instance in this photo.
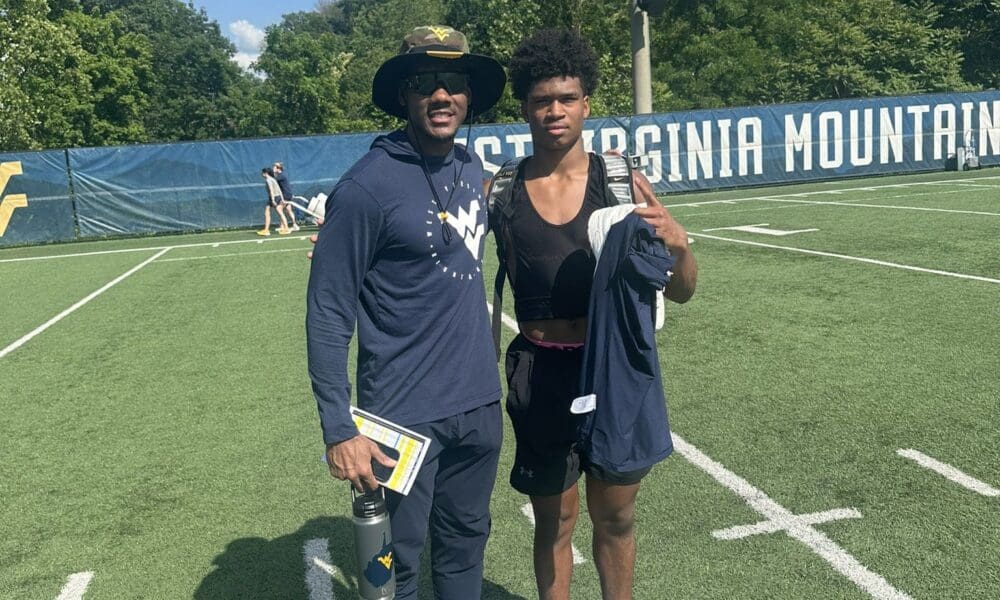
(373, 545)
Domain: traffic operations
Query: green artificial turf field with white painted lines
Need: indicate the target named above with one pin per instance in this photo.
(163, 435)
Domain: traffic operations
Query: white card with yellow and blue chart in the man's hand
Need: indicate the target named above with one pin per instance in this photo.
(407, 447)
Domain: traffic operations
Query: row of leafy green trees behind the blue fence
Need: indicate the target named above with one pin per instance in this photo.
(101, 72)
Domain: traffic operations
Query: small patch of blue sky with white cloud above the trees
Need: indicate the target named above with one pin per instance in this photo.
(244, 21)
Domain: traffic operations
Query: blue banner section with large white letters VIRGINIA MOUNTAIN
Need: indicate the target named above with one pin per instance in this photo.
(767, 145)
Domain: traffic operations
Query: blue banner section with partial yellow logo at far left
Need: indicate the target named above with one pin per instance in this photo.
(35, 203)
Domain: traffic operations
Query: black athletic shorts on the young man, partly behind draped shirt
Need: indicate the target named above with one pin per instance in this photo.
(541, 385)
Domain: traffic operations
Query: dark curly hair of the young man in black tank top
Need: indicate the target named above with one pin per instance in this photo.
(552, 53)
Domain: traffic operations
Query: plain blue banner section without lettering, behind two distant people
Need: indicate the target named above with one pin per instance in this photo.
(199, 185)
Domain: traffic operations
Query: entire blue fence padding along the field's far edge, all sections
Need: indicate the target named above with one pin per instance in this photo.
(208, 185)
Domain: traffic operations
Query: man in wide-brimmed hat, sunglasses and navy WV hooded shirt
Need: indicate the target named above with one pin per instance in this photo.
(400, 260)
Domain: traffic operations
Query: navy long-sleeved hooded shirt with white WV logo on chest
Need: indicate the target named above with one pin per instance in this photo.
(382, 266)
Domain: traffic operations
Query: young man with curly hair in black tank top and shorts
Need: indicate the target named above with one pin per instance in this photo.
(544, 243)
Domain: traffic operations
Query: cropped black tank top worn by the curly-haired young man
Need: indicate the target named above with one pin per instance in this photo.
(553, 265)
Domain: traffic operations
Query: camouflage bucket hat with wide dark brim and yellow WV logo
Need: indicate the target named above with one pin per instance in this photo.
(434, 44)
